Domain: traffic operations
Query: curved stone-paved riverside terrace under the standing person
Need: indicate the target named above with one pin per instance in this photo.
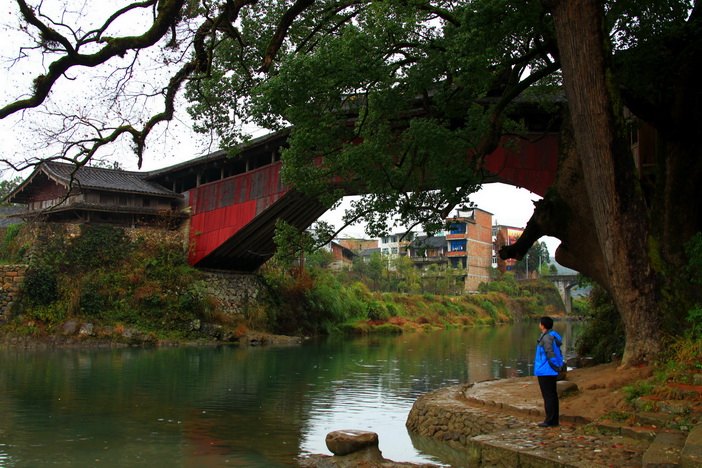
(494, 435)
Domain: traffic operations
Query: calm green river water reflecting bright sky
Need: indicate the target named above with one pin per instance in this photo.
(231, 406)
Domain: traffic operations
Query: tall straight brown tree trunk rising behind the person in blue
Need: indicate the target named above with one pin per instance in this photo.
(621, 222)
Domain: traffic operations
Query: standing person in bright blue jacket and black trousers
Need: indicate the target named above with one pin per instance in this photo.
(547, 363)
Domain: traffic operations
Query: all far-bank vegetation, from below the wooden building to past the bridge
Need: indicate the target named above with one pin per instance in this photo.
(101, 275)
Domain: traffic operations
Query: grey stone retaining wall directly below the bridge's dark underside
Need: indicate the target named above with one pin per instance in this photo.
(232, 291)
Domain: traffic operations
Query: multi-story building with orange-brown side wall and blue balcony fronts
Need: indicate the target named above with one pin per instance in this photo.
(470, 245)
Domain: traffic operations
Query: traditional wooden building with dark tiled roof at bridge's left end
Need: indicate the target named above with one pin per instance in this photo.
(58, 192)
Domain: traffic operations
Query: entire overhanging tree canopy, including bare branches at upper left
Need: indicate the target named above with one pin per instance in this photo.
(337, 73)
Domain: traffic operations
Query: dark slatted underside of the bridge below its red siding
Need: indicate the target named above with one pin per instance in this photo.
(251, 246)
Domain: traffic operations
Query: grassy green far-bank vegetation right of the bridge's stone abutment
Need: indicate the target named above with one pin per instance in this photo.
(318, 301)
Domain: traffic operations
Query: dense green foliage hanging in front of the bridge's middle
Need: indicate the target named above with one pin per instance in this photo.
(344, 60)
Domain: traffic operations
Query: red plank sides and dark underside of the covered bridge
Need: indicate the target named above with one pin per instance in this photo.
(235, 202)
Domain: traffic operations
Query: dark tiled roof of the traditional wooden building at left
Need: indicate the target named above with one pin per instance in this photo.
(105, 179)
